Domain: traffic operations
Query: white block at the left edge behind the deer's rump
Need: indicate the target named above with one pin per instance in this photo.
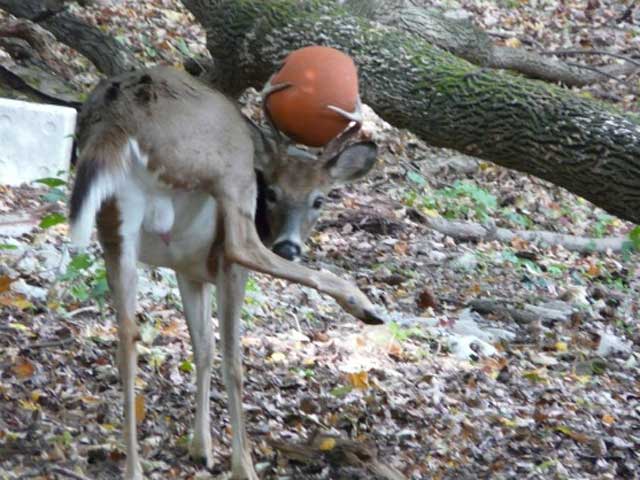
(35, 140)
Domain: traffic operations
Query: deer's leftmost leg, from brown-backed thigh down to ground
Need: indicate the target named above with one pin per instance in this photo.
(119, 239)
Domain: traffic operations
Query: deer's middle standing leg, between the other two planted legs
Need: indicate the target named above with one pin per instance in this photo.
(196, 303)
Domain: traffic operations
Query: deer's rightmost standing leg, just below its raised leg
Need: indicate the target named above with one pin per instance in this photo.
(230, 285)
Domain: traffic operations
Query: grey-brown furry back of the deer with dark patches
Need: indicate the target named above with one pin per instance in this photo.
(173, 117)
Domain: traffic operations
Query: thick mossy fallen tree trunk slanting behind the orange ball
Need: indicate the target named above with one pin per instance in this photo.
(518, 123)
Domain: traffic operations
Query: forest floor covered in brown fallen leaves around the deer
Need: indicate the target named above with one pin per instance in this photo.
(504, 359)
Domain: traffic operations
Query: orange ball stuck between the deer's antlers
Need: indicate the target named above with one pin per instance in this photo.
(319, 76)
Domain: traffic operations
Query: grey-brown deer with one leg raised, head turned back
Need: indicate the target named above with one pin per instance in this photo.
(168, 167)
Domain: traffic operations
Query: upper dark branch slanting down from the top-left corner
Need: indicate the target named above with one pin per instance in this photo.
(102, 50)
